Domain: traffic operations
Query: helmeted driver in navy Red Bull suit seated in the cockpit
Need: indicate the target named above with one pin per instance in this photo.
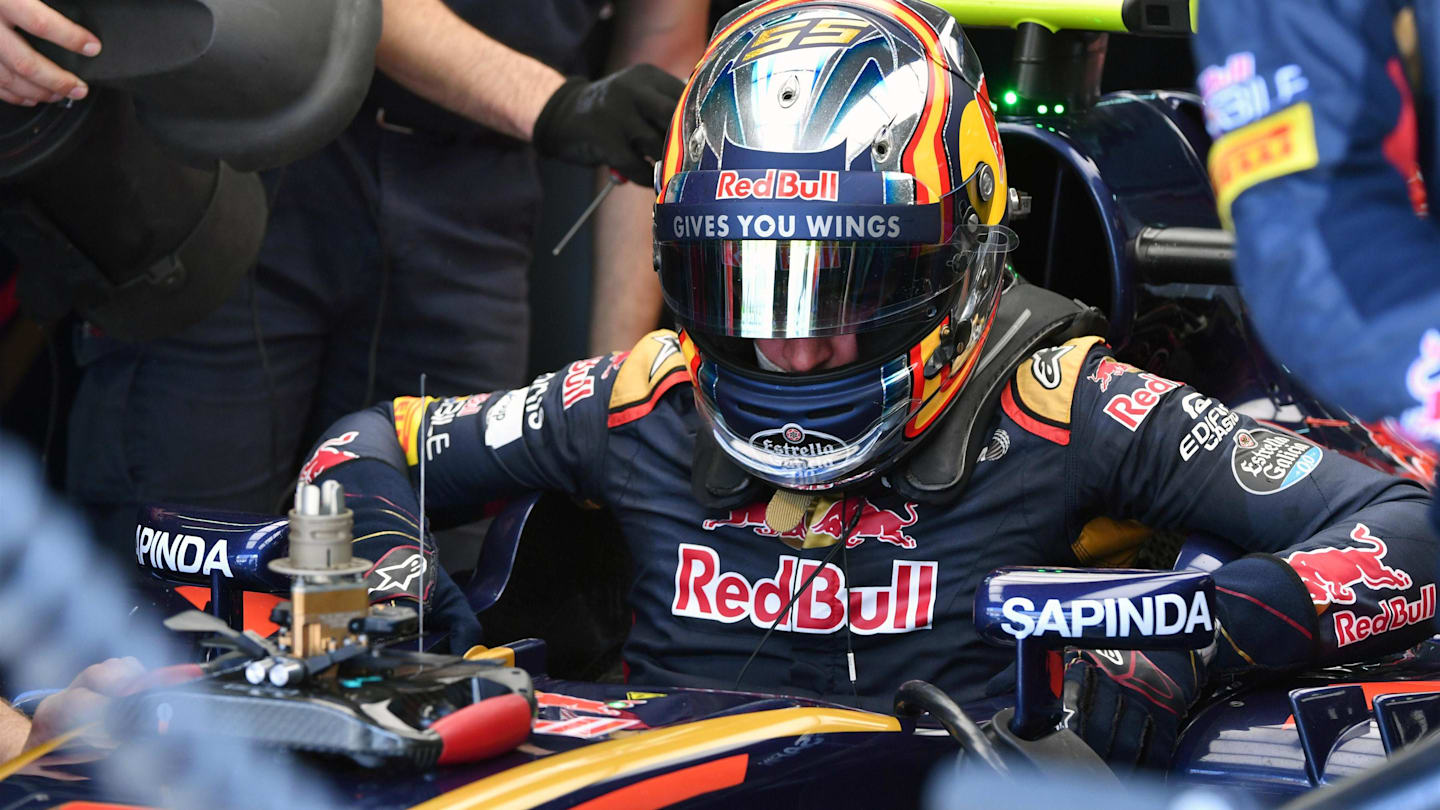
(866, 413)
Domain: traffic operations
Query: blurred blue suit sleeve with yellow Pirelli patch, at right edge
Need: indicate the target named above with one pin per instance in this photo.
(1324, 113)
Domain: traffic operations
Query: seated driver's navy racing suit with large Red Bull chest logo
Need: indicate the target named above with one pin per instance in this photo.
(1082, 452)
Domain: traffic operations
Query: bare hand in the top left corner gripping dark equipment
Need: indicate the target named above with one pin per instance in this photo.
(27, 77)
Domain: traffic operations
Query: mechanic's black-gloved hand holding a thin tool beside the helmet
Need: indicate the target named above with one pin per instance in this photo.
(617, 122)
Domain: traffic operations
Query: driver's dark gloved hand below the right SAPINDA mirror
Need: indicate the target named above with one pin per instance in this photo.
(1128, 706)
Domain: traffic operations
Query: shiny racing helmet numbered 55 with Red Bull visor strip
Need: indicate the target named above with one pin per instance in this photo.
(833, 169)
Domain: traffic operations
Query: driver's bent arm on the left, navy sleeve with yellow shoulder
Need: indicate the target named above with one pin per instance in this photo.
(549, 436)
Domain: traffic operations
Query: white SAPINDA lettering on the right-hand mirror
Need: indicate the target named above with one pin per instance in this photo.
(1114, 618)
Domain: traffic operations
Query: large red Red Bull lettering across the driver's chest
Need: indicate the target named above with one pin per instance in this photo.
(705, 592)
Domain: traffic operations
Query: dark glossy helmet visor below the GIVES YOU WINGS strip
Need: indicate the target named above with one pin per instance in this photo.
(814, 288)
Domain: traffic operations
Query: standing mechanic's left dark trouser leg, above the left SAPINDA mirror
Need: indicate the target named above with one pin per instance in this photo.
(214, 416)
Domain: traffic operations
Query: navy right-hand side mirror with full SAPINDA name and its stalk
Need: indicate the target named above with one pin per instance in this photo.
(1046, 609)
